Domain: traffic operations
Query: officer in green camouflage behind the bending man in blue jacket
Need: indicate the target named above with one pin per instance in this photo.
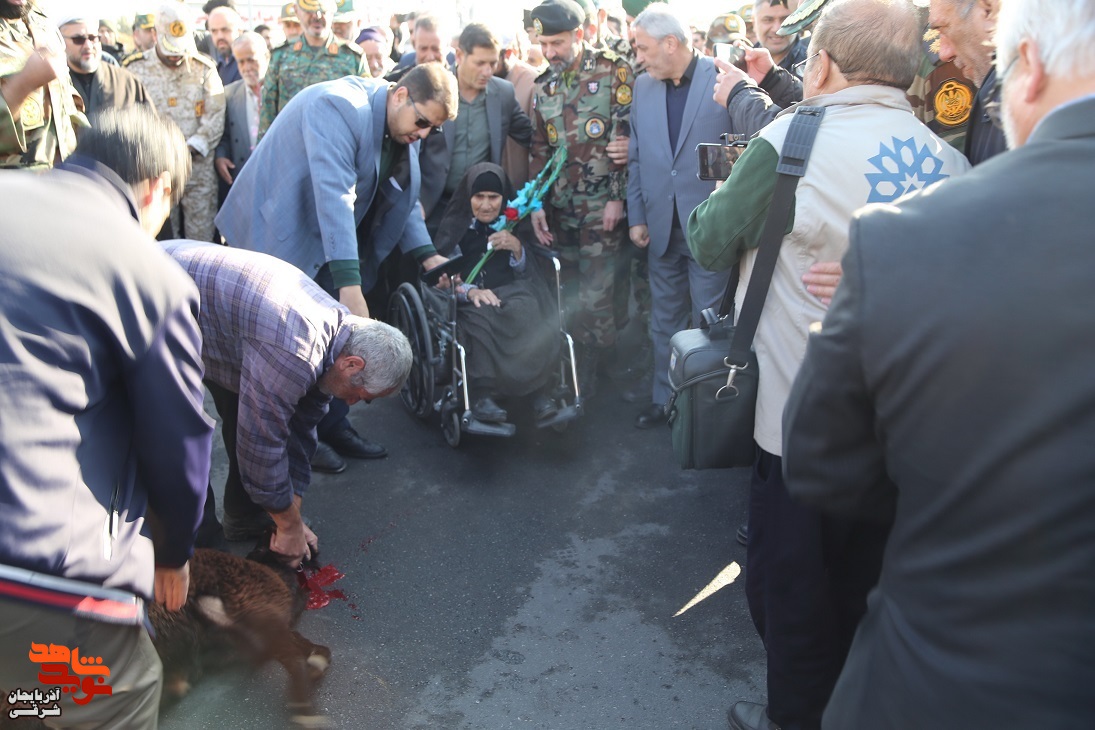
(318, 55)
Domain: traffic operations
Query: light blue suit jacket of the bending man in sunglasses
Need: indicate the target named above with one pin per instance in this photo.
(316, 175)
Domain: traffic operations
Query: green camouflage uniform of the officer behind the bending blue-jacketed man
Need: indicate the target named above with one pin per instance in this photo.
(295, 66)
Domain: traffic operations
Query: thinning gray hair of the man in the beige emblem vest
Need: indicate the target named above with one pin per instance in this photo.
(873, 42)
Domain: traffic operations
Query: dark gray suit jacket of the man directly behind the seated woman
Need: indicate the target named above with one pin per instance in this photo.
(505, 119)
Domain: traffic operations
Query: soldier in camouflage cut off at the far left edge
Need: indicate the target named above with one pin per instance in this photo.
(38, 102)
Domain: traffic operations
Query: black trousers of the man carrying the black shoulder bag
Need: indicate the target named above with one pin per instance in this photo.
(808, 580)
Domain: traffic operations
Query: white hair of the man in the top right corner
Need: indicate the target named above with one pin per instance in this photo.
(1063, 30)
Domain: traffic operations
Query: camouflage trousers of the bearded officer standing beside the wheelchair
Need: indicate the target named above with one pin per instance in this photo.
(590, 259)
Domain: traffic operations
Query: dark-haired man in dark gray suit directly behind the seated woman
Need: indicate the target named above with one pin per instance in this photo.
(489, 115)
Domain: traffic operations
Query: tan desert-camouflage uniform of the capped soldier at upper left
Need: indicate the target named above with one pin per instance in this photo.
(193, 97)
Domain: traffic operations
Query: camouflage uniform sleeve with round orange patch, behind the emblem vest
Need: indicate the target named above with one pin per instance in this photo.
(942, 98)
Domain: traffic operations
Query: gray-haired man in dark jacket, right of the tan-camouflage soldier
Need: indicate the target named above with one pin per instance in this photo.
(244, 103)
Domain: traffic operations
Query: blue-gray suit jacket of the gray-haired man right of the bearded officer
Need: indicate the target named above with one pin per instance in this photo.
(659, 175)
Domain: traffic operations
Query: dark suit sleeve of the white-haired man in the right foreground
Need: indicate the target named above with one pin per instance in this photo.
(833, 458)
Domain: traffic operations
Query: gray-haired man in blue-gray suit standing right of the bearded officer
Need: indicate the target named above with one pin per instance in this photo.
(673, 112)
